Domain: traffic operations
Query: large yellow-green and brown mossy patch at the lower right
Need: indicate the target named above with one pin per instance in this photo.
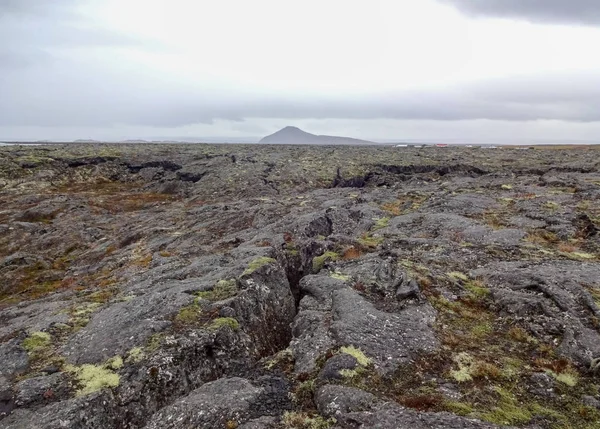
(490, 360)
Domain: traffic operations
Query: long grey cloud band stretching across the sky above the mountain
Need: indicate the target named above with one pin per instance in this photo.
(78, 94)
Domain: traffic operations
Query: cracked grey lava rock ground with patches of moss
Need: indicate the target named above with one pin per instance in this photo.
(223, 286)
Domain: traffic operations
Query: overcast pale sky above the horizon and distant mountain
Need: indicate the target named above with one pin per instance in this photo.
(499, 71)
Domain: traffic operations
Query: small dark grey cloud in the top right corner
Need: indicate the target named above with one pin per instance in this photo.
(586, 12)
